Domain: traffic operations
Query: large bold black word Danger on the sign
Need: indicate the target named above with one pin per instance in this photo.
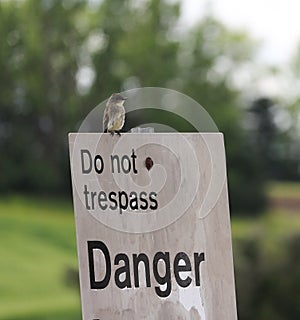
(123, 274)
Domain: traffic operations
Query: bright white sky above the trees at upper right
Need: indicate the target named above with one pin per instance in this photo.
(273, 22)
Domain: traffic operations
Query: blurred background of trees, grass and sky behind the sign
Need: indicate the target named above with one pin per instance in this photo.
(59, 59)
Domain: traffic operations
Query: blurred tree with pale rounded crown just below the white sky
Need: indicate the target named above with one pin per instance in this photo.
(211, 56)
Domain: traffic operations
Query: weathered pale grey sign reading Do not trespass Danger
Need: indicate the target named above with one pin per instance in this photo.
(153, 226)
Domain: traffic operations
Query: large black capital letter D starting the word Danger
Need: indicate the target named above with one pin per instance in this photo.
(98, 245)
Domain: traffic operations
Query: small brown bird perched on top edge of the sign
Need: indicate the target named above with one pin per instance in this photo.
(114, 114)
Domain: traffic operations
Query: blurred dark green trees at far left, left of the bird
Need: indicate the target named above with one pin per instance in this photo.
(39, 101)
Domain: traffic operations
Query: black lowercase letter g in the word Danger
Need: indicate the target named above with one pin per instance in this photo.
(162, 280)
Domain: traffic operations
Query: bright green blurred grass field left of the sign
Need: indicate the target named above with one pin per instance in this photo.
(38, 246)
